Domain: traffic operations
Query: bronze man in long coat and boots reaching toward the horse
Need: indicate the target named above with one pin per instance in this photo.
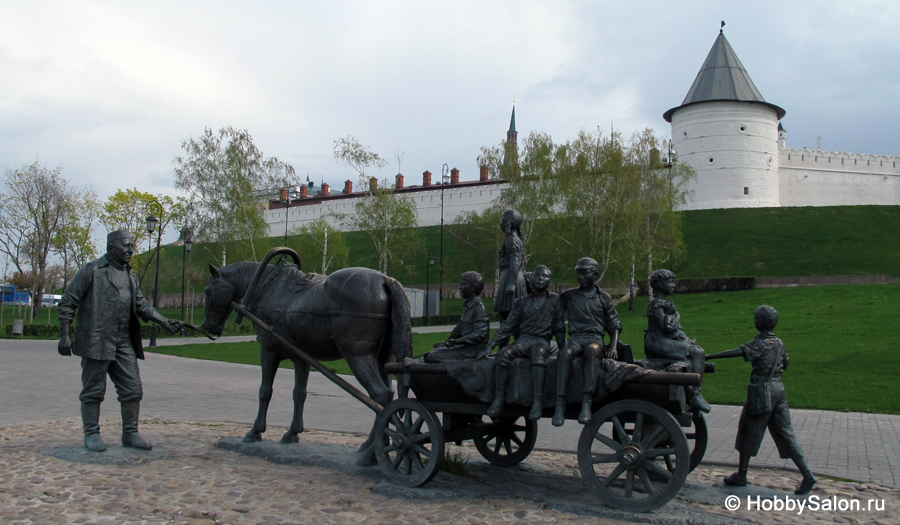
(109, 303)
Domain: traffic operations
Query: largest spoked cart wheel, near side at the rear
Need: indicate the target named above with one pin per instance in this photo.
(617, 470)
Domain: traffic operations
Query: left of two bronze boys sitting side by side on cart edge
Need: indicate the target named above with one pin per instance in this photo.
(537, 317)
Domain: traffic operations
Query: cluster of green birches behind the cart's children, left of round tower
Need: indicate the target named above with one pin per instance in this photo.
(593, 196)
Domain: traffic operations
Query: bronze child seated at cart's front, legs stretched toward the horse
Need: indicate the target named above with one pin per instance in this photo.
(468, 340)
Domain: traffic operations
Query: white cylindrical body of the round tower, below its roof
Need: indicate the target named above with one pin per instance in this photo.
(733, 147)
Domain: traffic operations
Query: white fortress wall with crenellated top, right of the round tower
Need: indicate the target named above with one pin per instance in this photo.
(829, 178)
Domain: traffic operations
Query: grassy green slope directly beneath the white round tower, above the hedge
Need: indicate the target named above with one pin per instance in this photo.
(784, 242)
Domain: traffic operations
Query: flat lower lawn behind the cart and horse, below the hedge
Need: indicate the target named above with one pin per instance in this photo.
(843, 354)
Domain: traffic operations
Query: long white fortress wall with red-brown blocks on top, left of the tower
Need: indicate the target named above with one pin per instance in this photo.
(457, 200)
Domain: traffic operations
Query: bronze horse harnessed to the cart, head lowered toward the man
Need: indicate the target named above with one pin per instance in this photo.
(357, 314)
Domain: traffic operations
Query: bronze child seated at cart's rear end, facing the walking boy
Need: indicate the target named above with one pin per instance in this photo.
(664, 338)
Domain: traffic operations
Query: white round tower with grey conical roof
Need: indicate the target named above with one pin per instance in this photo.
(728, 133)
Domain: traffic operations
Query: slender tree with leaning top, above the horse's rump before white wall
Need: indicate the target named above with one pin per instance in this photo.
(388, 218)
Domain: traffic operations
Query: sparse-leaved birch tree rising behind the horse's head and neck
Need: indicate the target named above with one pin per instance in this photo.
(224, 176)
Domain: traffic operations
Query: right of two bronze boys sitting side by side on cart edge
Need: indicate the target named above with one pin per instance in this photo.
(591, 314)
